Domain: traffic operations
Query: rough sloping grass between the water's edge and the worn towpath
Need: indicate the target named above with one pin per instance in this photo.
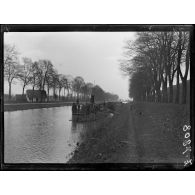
(104, 142)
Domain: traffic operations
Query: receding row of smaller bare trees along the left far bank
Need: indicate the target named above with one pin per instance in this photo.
(42, 75)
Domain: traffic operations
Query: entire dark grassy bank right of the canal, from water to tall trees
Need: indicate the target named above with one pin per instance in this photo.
(149, 133)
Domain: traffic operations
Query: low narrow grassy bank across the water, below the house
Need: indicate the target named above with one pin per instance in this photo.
(27, 106)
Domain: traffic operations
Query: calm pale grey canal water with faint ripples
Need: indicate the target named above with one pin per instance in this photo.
(46, 135)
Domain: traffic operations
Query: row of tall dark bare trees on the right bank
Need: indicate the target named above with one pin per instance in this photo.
(154, 62)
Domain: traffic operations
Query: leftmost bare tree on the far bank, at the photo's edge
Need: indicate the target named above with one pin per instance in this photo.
(11, 65)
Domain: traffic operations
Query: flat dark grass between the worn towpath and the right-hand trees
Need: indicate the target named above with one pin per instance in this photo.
(160, 133)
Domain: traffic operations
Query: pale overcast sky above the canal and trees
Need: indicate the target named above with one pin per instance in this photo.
(92, 55)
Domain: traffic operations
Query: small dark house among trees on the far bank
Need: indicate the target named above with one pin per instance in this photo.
(36, 95)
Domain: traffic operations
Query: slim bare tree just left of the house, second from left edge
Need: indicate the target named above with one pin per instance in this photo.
(26, 71)
